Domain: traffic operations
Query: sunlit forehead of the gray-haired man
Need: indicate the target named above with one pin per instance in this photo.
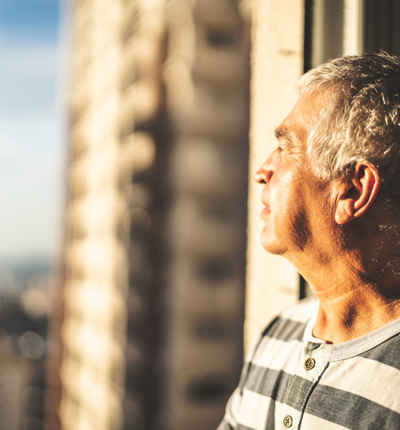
(297, 125)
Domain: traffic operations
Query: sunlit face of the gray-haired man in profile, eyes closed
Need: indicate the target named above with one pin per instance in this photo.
(292, 195)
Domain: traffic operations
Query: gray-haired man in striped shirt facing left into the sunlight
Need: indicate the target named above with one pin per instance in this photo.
(331, 197)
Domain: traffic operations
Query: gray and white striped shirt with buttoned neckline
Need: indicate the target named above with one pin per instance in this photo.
(292, 380)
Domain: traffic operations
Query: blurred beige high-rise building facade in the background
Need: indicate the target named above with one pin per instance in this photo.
(152, 299)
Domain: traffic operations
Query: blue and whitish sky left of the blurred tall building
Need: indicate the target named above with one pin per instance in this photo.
(31, 128)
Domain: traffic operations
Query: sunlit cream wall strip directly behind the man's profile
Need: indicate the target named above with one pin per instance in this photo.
(277, 64)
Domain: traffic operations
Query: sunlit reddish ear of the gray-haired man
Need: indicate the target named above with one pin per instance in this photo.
(356, 194)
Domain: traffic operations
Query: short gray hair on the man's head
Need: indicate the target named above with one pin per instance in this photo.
(360, 120)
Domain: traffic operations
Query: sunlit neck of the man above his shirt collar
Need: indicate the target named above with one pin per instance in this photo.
(358, 291)
